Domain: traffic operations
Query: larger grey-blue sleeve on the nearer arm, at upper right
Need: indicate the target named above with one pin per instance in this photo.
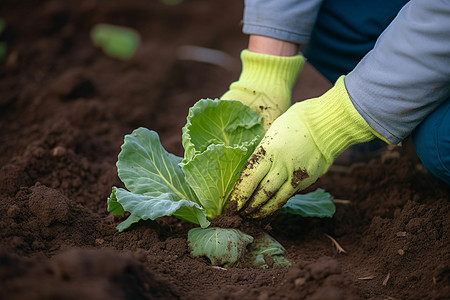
(407, 74)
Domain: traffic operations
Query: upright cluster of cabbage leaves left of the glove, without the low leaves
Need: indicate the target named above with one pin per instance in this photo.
(218, 138)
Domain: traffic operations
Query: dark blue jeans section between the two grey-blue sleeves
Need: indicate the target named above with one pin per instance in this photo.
(345, 31)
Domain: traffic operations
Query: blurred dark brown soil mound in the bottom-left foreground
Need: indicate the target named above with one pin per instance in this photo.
(81, 274)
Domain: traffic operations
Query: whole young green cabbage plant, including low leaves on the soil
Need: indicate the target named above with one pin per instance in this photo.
(218, 138)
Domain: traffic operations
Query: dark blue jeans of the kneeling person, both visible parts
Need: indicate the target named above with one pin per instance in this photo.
(344, 32)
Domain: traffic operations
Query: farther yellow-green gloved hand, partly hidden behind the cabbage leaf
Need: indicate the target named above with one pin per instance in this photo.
(265, 83)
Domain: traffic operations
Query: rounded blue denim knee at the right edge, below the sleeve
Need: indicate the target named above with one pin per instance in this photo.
(432, 142)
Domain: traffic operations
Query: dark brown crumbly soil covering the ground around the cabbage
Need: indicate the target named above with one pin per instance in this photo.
(64, 109)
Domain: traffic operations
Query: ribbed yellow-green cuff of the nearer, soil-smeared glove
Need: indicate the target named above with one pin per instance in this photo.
(334, 123)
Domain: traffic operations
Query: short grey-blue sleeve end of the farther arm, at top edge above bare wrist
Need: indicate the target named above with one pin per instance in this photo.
(287, 20)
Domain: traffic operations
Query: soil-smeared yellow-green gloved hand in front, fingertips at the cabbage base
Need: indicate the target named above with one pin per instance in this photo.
(297, 149)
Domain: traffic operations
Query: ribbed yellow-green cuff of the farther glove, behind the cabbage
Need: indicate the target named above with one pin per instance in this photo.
(271, 72)
